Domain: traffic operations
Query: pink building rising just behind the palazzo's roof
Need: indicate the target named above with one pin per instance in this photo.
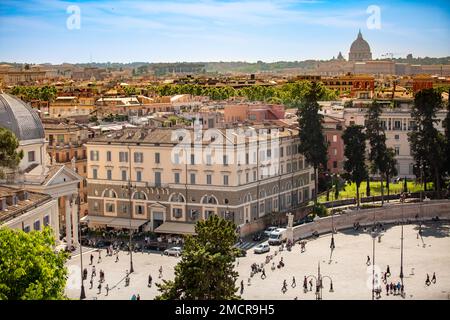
(253, 112)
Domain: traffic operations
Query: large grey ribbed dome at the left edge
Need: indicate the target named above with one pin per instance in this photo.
(20, 118)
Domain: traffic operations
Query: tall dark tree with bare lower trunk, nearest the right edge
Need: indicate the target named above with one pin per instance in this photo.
(427, 143)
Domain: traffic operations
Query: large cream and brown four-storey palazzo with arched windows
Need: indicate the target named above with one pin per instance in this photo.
(169, 195)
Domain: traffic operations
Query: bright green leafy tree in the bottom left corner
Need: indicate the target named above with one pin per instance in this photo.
(30, 268)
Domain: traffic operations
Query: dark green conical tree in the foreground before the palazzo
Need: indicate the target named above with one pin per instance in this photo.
(205, 271)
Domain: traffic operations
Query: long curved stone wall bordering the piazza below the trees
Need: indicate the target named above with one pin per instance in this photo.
(387, 214)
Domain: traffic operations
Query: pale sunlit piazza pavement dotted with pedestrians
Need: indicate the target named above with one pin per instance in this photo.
(347, 267)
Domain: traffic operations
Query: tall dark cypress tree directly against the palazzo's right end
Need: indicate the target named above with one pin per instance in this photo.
(312, 141)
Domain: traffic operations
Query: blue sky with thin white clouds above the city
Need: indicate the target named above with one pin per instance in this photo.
(217, 30)
